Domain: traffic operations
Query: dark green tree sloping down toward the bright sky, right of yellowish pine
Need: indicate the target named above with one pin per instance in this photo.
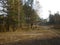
(30, 14)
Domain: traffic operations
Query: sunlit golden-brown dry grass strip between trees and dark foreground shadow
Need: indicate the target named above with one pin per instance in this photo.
(23, 35)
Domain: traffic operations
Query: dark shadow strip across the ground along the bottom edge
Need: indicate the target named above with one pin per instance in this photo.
(53, 41)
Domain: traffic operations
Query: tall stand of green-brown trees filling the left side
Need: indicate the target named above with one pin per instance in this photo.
(17, 14)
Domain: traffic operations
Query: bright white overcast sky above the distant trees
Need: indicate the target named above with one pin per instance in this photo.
(48, 5)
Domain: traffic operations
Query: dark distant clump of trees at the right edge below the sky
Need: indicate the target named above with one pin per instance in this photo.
(55, 20)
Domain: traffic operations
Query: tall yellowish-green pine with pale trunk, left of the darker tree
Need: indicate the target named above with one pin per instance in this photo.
(15, 13)
